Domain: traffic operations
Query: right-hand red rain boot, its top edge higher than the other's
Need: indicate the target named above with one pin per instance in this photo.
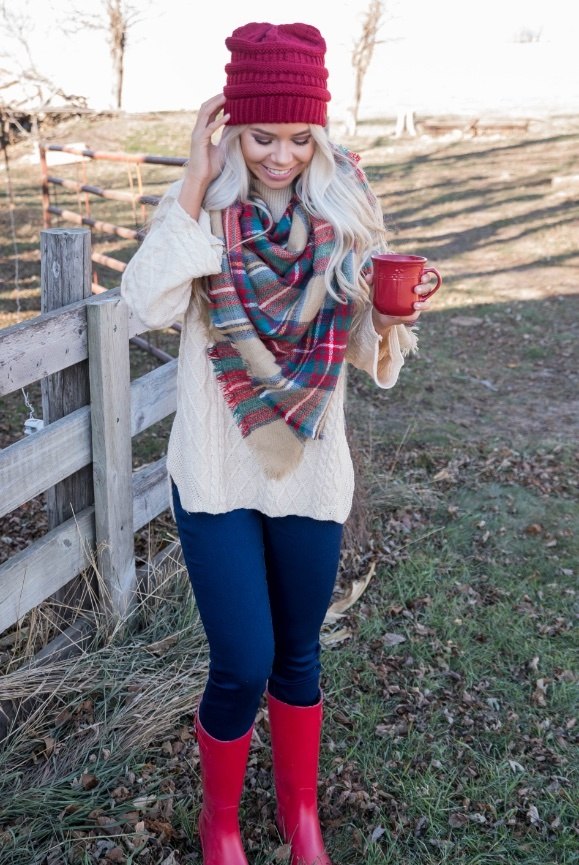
(295, 740)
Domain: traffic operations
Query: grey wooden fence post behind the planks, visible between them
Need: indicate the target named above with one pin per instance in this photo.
(66, 278)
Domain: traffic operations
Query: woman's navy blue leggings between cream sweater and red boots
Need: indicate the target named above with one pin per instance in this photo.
(262, 587)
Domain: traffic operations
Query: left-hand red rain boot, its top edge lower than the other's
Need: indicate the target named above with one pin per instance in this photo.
(222, 772)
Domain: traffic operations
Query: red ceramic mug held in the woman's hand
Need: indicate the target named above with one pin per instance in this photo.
(394, 278)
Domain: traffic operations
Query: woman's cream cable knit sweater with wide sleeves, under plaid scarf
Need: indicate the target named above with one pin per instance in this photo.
(208, 459)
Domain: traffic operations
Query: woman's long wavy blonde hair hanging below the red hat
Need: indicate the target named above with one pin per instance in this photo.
(329, 189)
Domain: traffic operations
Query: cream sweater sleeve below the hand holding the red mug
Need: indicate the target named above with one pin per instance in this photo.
(382, 357)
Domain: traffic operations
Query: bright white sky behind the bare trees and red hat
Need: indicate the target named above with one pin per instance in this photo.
(439, 55)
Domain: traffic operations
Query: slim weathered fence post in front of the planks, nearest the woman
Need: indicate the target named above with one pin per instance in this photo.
(108, 343)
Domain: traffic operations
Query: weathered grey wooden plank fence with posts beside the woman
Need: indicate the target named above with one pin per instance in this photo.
(93, 332)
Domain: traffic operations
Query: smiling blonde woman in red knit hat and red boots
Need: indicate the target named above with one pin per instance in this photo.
(263, 247)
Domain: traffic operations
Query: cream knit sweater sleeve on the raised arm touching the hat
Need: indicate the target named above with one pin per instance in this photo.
(177, 249)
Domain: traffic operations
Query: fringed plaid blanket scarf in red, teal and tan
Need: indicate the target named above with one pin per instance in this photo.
(279, 337)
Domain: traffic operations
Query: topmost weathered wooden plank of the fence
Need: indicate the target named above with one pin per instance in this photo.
(48, 343)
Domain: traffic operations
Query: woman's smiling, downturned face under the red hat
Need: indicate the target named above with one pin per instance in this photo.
(277, 153)
